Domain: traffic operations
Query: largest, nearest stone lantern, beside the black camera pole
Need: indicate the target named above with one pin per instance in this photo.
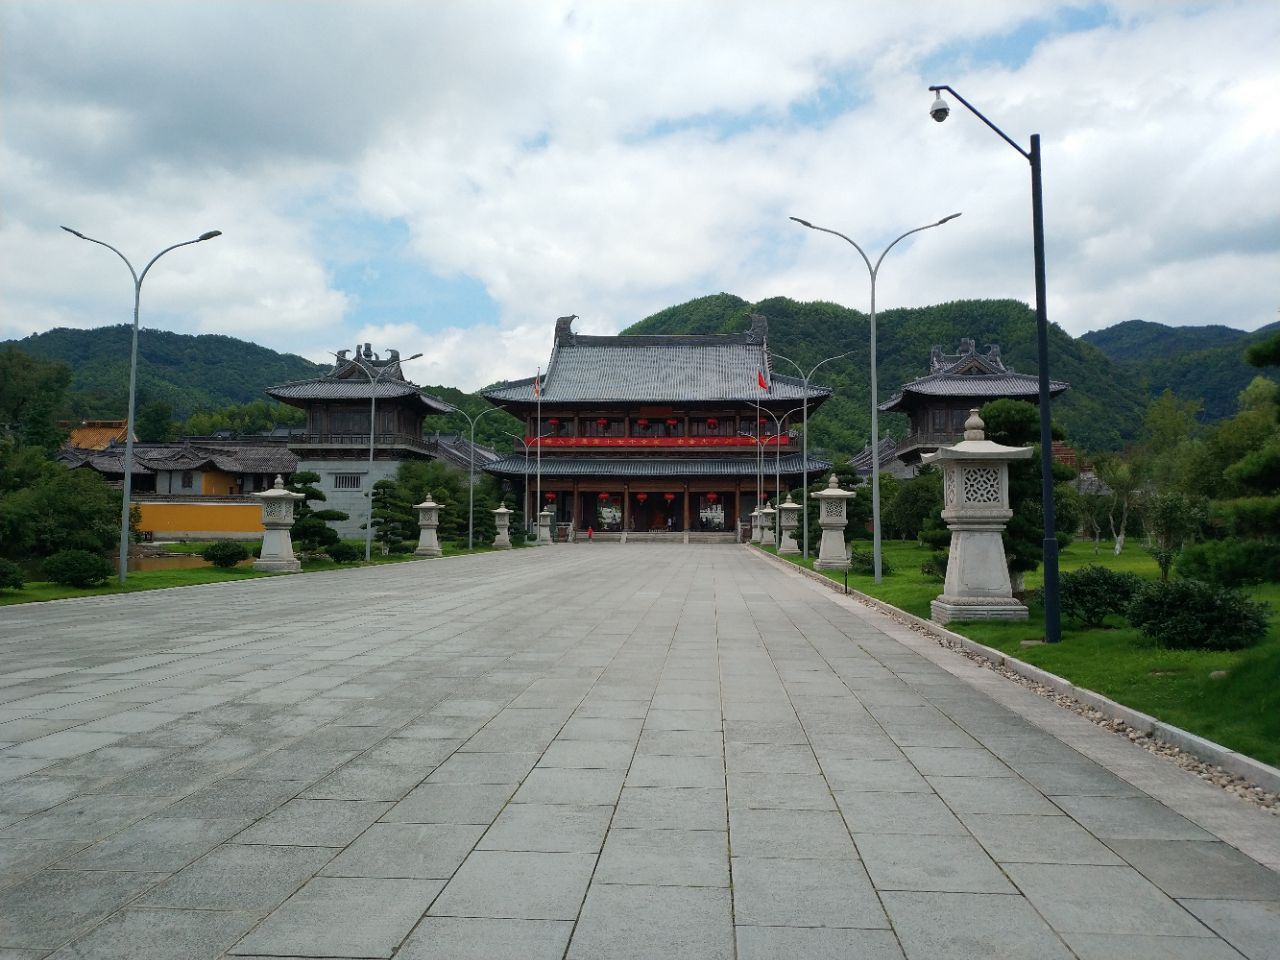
(976, 509)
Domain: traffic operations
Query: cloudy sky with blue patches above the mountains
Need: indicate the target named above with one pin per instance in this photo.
(450, 177)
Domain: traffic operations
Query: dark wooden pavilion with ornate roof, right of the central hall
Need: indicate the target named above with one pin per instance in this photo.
(940, 403)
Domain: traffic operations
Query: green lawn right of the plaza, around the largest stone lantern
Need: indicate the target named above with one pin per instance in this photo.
(1241, 712)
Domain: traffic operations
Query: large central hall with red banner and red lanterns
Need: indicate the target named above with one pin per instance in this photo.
(656, 435)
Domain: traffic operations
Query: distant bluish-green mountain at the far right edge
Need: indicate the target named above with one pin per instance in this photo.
(1196, 363)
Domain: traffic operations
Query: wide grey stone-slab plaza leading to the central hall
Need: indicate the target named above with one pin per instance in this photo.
(593, 752)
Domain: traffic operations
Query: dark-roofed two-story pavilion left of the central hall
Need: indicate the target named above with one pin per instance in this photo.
(337, 438)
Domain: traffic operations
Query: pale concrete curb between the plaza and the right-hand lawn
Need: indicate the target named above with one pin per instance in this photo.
(1246, 767)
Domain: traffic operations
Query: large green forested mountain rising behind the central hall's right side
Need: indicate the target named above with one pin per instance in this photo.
(1101, 412)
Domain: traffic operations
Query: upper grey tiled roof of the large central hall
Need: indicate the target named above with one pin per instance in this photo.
(723, 368)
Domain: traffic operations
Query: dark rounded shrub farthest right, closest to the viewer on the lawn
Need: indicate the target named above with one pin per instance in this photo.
(1191, 615)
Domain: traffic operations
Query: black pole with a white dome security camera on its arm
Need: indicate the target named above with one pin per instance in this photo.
(940, 111)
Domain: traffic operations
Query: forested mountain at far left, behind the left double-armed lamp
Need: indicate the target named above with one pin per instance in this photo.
(188, 373)
